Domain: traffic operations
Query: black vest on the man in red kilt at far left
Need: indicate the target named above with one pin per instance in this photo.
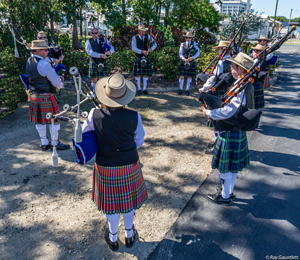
(37, 83)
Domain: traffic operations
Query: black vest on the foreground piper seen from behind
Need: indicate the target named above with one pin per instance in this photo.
(115, 137)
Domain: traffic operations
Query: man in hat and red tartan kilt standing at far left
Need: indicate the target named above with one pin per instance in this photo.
(43, 81)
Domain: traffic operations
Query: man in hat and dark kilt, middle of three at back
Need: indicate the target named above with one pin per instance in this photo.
(141, 46)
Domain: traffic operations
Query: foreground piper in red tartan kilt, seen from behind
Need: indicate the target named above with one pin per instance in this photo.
(118, 183)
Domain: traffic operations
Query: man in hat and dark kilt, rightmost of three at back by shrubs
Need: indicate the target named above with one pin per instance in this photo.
(188, 52)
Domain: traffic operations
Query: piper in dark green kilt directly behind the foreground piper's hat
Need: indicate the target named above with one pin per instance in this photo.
(95, 48)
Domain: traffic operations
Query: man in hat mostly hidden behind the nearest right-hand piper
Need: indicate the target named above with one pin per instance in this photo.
(222, 67)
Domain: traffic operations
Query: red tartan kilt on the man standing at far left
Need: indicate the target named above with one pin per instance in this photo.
(40, 105)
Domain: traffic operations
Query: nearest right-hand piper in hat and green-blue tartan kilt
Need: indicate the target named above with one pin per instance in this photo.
(231, 153)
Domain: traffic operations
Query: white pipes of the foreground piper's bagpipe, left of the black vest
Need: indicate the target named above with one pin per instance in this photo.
(82, 89)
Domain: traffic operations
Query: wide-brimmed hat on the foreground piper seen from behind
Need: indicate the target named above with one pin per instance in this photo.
(115, 91)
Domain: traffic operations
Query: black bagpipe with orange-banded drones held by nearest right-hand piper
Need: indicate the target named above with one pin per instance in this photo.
(244, 119)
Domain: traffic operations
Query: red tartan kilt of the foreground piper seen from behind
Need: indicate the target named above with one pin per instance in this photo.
(118, 189)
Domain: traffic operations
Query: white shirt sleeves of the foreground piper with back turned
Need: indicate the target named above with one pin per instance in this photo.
(139, 133)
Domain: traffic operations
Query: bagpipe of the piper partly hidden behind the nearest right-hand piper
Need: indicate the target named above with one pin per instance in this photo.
(203, 76)
